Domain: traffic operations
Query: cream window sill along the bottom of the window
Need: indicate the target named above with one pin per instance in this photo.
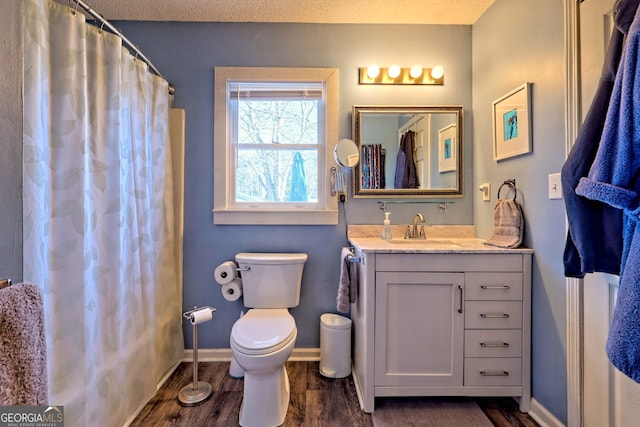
(279, 217)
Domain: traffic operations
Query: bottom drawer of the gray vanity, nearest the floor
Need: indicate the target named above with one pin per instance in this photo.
(502, 371)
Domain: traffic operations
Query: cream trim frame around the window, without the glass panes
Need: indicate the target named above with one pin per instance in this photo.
(224, 212)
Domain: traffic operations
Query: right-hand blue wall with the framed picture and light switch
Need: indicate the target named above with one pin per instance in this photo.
(514, 43)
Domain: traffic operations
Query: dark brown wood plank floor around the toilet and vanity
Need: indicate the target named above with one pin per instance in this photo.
(315, 401)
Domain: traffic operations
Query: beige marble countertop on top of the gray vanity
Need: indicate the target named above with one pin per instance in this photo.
(446, 239)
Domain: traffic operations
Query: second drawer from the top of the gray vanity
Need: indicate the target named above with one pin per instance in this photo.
(493, 315)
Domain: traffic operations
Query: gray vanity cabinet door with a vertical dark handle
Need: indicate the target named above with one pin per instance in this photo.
(419, 327)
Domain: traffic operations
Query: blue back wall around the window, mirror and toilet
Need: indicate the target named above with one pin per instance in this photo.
(186, 54)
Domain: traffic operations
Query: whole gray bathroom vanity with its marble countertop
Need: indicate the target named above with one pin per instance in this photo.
(441, 317)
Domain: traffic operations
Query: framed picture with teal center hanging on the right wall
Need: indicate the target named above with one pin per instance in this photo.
(512, 123)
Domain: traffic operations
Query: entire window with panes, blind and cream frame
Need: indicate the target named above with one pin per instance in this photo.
(273, 133)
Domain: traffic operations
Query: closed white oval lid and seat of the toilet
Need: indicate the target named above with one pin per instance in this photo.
(263, 330)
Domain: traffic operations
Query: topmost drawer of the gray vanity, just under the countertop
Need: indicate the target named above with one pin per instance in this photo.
(493, 286)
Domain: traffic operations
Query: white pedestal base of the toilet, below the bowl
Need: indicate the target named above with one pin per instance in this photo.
(265, 398)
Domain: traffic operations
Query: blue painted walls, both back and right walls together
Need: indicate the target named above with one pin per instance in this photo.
(512, 43)
